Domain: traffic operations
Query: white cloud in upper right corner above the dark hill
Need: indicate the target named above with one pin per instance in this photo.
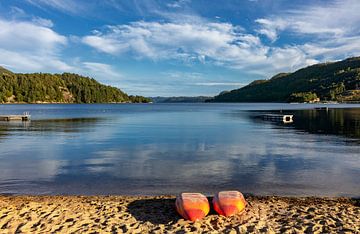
(334, 28)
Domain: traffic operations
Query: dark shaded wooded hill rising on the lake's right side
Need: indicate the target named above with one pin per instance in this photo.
(338, 81)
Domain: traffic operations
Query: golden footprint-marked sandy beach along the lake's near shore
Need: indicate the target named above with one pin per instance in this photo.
(124, 214)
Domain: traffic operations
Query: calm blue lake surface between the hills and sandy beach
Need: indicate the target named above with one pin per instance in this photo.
(150, 149)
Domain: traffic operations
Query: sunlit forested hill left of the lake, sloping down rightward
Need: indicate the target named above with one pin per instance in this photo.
(58, 88)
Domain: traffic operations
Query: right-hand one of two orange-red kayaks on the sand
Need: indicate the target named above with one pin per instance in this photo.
(228, 203)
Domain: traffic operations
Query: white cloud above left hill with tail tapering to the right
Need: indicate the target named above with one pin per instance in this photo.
(26, 46)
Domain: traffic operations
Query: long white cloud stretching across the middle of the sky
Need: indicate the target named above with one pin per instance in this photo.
(221, 44)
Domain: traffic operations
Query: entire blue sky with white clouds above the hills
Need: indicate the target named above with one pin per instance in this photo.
(176, 47)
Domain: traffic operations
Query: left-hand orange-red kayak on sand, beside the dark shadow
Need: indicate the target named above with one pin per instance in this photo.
(192, 206)
